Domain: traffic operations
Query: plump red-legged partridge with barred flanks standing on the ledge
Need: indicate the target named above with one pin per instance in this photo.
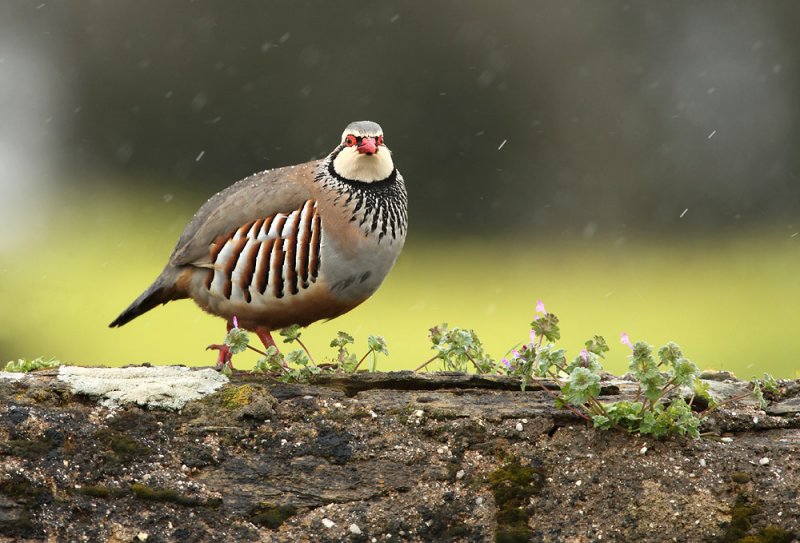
(290, 245)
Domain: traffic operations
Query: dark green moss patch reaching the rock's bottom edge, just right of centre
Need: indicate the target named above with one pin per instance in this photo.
(513, 485)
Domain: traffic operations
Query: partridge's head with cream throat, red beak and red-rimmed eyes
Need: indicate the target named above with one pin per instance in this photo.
(362, 155)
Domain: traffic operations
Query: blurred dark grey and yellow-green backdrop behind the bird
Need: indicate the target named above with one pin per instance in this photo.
(634, 165)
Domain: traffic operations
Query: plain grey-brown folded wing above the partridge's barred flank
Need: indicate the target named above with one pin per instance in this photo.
(281, 190)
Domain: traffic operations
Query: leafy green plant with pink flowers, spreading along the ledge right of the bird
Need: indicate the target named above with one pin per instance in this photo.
(658, 409)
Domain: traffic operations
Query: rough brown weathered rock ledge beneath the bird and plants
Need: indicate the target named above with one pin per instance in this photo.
(384, 457)
